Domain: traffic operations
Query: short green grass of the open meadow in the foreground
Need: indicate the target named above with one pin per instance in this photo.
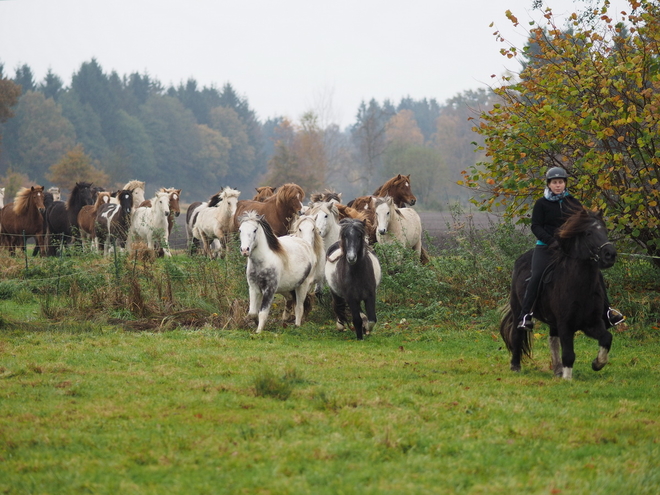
(406, 411)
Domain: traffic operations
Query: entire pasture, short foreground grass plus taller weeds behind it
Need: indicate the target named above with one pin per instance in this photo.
(143, 375)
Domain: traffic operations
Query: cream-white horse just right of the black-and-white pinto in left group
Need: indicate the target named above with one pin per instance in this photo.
(150, 223)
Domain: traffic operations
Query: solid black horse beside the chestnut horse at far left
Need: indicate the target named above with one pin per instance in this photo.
(62, 218)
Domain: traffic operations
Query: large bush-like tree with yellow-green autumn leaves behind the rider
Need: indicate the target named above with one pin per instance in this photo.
(587, 101)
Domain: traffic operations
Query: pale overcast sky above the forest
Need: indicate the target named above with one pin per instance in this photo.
(285, 57)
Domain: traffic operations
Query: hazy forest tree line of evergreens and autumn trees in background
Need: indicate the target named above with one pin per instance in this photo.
(110, 129)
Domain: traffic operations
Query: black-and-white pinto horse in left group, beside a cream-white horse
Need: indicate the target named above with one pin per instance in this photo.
(113, 221)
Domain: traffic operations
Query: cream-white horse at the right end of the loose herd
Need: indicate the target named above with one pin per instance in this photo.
(398, 224)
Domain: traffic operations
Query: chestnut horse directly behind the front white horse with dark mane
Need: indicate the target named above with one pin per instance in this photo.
(279, 210)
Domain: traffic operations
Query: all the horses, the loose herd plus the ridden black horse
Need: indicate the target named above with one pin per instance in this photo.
(293, 248)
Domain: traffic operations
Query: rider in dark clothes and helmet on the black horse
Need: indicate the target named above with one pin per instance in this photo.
(549, 213)
